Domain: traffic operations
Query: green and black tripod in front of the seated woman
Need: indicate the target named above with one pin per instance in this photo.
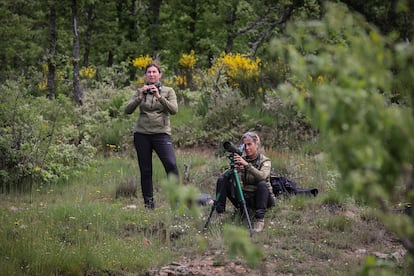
(234, 180)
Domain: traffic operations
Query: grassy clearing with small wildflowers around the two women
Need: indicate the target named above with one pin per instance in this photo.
(80, 228)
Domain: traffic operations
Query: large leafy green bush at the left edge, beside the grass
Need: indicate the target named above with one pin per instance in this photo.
(39, 141)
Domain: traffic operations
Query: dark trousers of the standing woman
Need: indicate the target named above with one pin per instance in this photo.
(145, 144)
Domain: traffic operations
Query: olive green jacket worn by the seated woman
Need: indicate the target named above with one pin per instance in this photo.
(257, 170)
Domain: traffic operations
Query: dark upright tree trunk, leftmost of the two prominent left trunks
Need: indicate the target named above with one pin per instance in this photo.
(52, 53)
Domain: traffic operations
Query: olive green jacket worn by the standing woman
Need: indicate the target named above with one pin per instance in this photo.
(154, 114)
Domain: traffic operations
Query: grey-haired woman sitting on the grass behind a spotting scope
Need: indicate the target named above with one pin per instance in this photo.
(254, 174)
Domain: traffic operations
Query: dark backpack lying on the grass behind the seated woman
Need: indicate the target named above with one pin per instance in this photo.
(286, 187)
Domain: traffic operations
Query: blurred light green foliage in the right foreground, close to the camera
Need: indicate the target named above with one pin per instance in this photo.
(342, 79)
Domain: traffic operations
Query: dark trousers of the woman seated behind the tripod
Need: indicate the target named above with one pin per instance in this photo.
(259, 200)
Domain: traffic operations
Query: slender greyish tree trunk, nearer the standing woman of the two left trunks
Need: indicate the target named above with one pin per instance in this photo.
(77, 91)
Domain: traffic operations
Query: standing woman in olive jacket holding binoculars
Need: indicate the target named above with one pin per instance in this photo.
(152, 131)
